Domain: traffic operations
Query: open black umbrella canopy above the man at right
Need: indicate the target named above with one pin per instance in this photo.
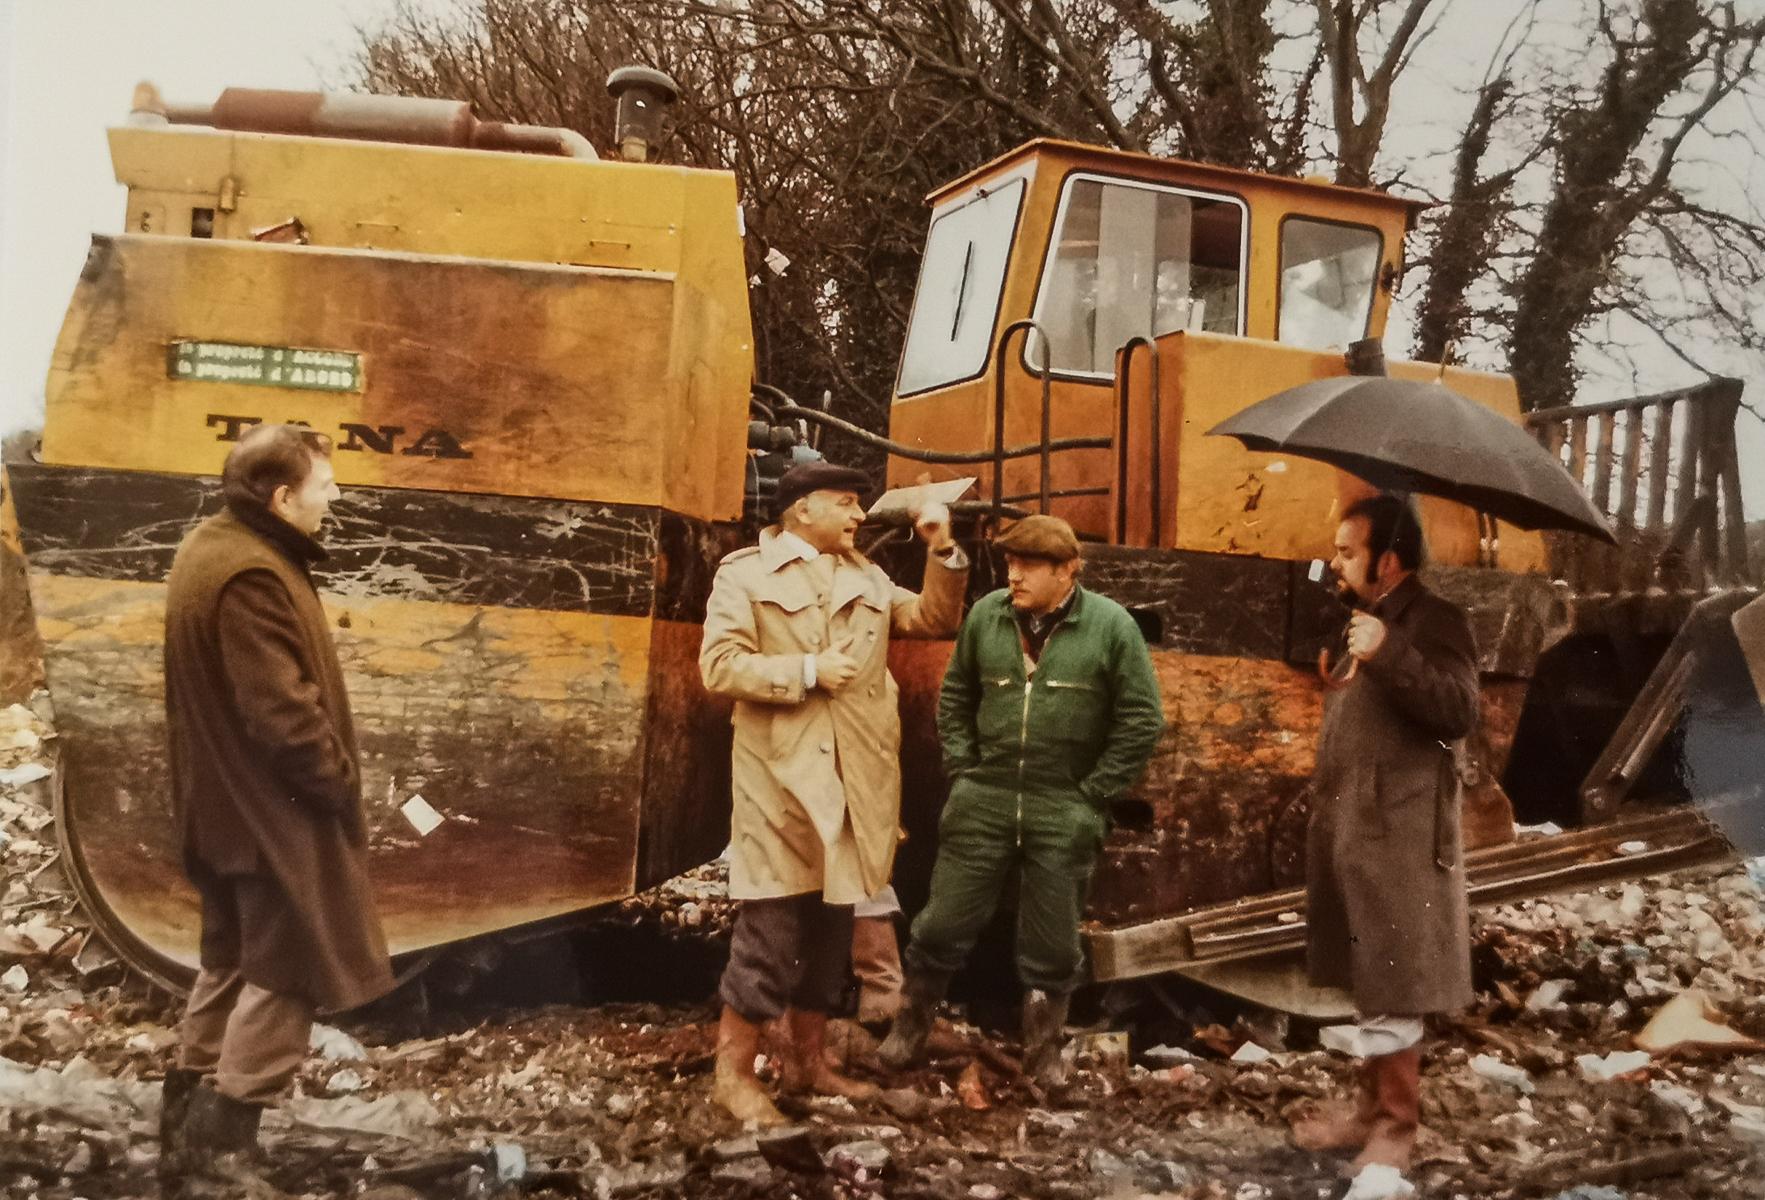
(1408, 437)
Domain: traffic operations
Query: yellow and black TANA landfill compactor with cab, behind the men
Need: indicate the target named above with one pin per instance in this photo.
(537, 368)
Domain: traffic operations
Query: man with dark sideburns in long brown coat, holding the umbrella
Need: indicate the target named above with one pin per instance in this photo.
(1385, 860)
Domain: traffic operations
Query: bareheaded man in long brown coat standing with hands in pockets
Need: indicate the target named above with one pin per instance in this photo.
(267, 795)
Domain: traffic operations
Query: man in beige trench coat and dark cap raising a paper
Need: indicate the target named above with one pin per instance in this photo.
(797, 633)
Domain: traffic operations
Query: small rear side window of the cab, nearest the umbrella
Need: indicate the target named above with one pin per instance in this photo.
(1328, 278)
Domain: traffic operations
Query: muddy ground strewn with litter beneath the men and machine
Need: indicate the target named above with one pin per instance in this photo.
(476, 1083)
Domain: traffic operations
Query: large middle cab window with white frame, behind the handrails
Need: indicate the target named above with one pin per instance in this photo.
(1136, 260)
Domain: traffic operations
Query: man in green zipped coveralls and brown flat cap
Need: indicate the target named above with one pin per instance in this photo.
(1049, 712)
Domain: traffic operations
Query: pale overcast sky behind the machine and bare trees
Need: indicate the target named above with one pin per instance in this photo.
(70, 66)
